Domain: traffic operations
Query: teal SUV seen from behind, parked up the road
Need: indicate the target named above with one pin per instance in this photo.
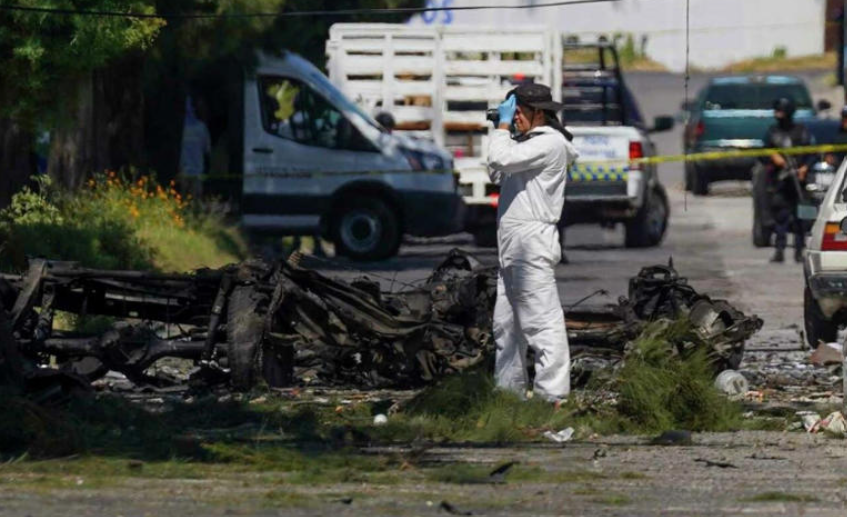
(732, 113)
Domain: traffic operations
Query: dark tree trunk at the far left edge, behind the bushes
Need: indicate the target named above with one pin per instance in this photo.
(16, 161)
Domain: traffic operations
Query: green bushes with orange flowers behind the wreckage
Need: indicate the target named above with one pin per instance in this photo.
(117, 221)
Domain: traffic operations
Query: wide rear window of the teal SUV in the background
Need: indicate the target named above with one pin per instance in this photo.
(755, 96)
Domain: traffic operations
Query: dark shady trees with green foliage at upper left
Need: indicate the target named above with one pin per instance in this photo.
(112, 90)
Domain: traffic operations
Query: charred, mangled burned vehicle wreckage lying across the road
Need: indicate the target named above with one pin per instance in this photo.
(285, 325)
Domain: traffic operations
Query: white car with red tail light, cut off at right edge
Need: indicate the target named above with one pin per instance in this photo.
(825, 268)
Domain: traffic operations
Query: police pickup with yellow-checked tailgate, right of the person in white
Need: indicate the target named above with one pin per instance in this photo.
(609, 131)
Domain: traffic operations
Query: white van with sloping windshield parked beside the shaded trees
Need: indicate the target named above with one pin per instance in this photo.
(314, 162)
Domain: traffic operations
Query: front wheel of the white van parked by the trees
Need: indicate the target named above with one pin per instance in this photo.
(366, 229)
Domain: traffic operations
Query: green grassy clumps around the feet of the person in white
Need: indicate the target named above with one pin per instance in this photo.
(661, 386)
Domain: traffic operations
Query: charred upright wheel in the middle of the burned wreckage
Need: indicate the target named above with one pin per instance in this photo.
(245, 333)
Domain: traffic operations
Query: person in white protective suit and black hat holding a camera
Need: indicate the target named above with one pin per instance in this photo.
(531, 170)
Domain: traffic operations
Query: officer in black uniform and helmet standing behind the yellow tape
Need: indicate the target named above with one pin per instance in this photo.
(786, 177)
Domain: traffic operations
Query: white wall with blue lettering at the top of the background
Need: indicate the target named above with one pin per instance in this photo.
(722, 31)
